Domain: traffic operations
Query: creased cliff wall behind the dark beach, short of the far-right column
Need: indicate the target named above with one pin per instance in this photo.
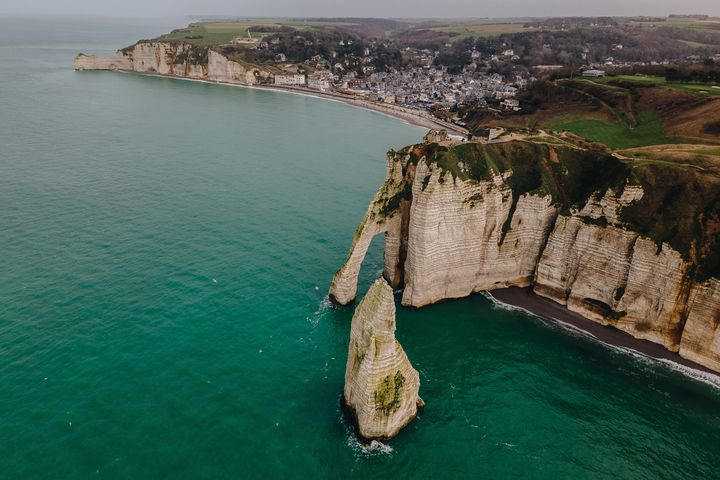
(614, 277)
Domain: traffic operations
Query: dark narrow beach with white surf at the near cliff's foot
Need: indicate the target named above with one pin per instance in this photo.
(552, 312)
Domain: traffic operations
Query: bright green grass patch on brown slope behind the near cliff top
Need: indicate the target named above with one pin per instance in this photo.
(616, 135)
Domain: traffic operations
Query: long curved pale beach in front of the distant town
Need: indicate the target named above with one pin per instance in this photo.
(418, 118)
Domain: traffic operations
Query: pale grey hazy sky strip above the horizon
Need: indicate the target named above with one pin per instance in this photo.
(366, 8)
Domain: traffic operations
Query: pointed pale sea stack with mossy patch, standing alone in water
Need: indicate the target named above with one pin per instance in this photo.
(381, 386)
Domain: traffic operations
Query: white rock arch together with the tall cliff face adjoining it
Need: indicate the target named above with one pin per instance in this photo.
(452, 239)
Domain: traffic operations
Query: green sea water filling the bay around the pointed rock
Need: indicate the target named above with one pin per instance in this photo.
(165, 251)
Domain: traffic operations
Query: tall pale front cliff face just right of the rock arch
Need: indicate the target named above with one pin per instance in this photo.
(459, 240)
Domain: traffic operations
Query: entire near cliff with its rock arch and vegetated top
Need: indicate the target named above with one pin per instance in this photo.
(634, 246)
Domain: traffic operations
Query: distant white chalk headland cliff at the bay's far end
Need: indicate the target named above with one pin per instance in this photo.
(174, 58)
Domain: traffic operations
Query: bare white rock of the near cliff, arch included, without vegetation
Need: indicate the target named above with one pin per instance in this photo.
(451, 237)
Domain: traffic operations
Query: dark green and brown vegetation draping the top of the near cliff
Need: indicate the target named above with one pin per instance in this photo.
(680, 205)
